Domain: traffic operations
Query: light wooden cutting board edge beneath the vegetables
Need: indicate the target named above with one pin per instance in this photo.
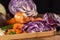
(28, 35)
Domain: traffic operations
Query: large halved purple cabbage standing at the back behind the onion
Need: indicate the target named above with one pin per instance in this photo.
(26, 6)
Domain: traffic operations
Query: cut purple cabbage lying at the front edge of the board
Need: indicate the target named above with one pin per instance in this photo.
(37, 26)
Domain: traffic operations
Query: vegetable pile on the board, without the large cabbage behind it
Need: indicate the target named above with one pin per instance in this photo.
(20, 23)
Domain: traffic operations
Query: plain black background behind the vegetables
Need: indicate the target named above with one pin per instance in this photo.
(42, 5)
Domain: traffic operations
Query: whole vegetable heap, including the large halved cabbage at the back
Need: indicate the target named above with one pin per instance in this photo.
(25, 19)
